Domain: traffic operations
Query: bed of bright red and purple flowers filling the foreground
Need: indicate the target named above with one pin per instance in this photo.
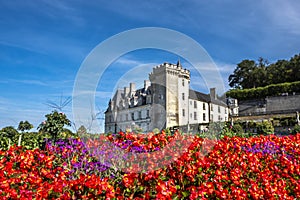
(264, 167)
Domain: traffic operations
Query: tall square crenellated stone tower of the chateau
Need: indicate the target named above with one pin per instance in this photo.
(170, 93)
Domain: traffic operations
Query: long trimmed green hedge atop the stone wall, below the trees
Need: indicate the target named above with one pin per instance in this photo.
(263, 92)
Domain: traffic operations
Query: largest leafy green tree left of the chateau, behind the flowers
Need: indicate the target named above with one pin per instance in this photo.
(54, 124)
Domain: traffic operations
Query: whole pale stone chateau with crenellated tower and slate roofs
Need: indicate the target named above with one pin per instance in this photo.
(165, 101)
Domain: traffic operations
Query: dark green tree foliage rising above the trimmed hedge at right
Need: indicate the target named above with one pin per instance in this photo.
(250, 74)
